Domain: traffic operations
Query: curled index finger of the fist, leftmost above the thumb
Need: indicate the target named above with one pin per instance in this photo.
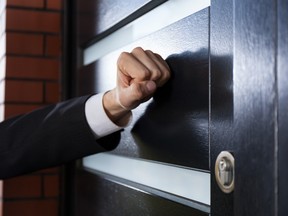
(130, 68)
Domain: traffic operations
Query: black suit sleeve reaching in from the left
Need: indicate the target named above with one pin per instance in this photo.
(48, 137)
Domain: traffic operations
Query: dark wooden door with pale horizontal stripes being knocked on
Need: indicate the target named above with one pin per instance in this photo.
(228, 92)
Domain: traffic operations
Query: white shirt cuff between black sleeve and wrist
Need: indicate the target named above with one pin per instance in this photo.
(99, 122)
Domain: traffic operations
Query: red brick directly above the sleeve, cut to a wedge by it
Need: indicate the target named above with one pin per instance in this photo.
(16, 109)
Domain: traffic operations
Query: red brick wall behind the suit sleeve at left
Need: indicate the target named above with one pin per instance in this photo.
(31, 77)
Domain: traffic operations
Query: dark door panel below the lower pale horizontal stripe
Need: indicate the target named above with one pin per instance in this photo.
(110, 198)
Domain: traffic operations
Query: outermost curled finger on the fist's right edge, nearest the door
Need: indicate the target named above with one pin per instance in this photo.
(162, 65)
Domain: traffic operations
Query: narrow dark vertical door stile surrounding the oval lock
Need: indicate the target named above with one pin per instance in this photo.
(221, 93)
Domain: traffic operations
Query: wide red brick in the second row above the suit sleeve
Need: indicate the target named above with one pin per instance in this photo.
(24, 91)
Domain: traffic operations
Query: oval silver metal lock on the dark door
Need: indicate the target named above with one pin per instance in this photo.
(225, 171)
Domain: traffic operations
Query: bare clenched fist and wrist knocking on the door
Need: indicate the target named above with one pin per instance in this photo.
(139, 73)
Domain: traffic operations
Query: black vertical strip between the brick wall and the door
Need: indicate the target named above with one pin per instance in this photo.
(68, 80)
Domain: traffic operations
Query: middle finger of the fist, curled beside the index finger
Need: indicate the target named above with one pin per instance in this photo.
(148, 62)
